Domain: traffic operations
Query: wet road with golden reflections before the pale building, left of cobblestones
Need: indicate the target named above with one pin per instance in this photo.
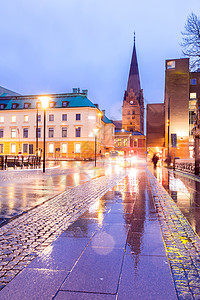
(21, 190)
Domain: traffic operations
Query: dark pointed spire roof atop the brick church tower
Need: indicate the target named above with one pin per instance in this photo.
(134, 77)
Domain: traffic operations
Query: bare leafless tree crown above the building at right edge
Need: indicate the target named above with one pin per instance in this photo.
(191, 41)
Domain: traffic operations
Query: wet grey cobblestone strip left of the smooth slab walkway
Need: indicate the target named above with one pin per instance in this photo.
(23, 238)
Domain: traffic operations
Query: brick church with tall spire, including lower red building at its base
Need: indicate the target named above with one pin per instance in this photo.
(129, 133)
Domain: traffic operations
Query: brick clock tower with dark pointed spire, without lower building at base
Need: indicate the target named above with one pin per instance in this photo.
(133, 103)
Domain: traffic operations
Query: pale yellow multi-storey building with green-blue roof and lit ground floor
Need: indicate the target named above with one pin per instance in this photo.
(70, 122)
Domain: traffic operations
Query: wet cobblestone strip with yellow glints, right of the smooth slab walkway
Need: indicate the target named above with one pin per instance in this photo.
(181, 242)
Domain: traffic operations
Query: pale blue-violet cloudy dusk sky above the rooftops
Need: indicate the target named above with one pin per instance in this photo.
(52, 46)
